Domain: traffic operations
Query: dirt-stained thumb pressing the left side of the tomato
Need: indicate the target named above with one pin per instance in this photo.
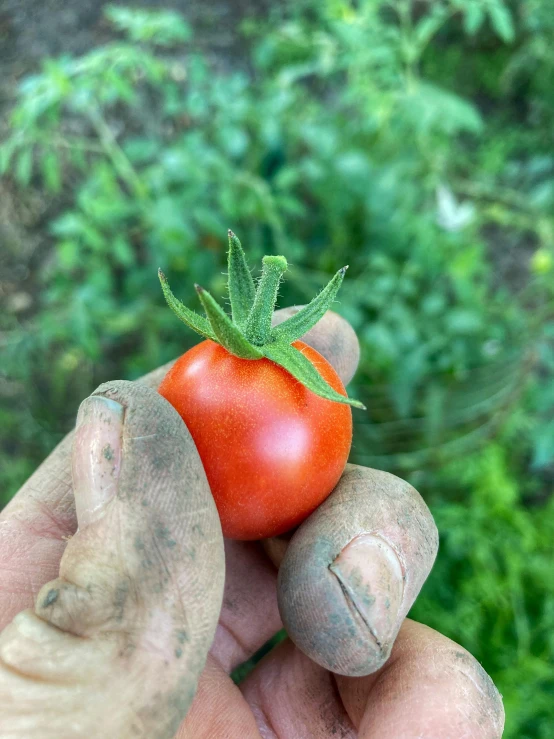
(115, 645)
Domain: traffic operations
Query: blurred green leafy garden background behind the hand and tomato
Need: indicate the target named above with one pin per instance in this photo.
(412, 140)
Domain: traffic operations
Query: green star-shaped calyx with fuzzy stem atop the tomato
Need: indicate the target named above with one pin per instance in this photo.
(248, 332)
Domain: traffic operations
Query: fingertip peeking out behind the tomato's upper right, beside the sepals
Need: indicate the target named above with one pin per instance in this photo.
(333, 337)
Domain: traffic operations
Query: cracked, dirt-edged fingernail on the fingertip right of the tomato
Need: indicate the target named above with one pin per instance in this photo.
(371, 575)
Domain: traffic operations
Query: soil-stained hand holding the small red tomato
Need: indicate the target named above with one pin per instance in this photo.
(116, 644)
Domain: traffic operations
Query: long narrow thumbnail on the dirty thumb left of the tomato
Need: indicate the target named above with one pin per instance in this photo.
(96, 456)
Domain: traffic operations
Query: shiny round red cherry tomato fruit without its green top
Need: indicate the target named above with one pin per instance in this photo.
(272, 449)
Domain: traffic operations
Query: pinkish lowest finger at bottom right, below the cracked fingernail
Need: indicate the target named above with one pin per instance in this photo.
(430, 687)
